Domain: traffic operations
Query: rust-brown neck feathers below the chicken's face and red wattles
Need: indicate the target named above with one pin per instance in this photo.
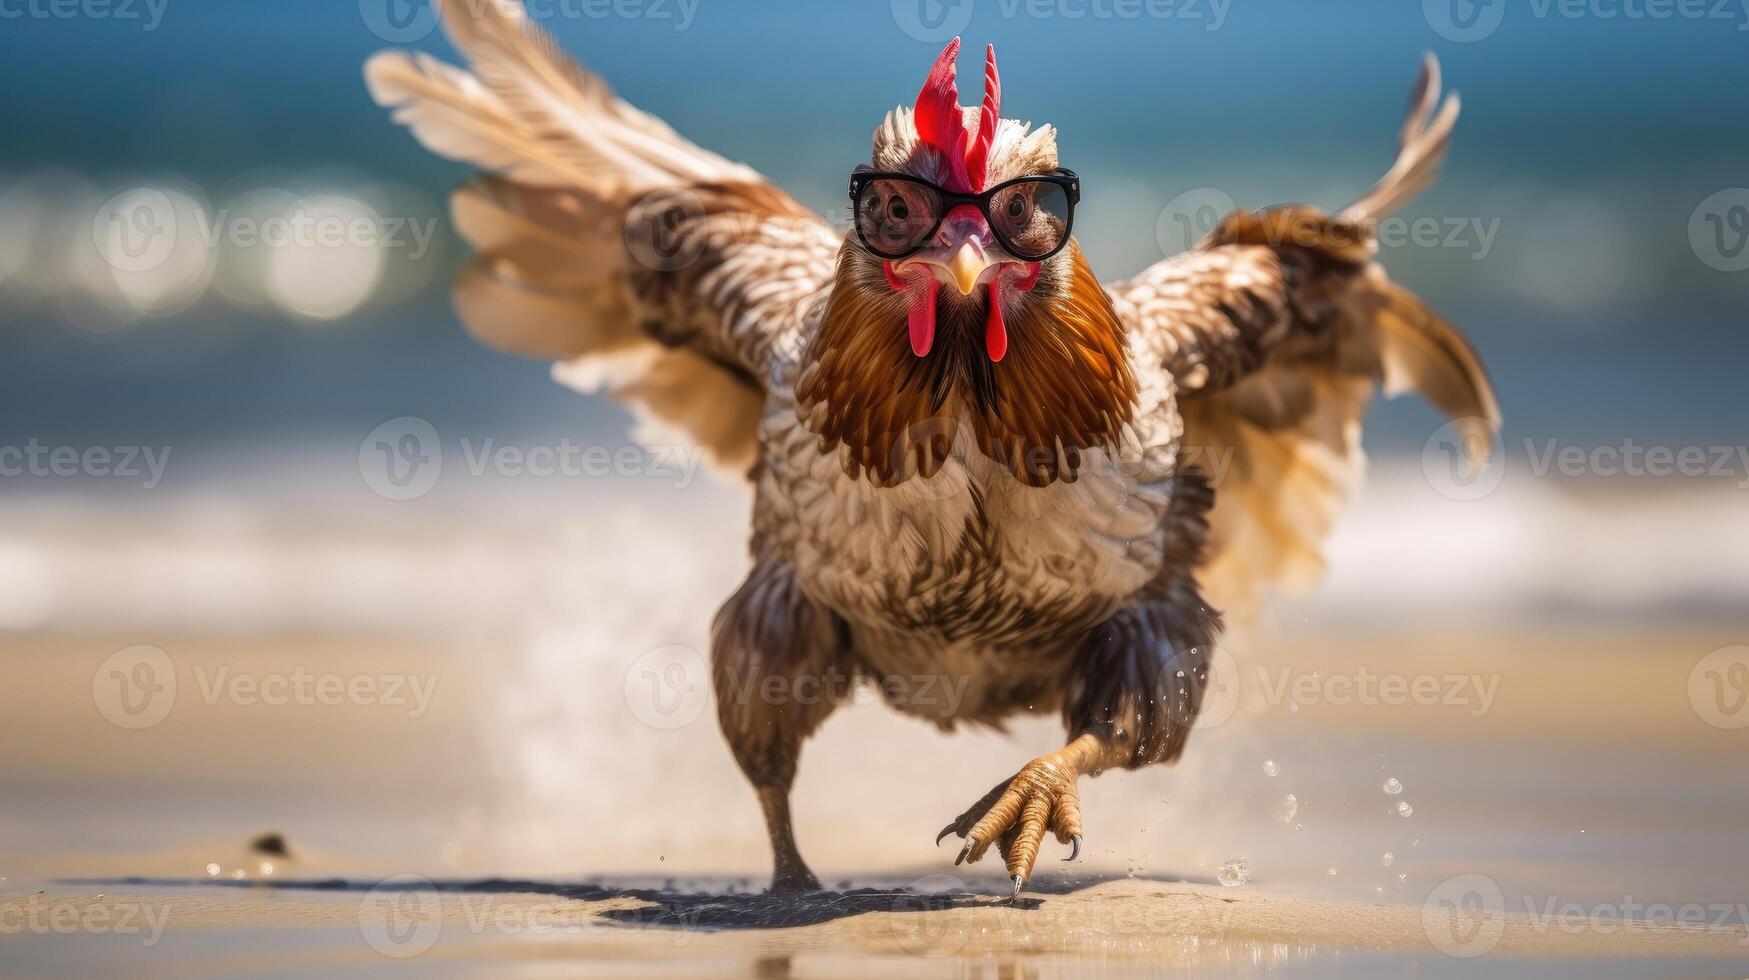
(1066, 381)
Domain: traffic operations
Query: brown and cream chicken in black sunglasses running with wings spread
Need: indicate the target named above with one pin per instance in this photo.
(973, 466)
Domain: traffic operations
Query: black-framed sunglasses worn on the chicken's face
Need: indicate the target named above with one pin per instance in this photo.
(1031, 216)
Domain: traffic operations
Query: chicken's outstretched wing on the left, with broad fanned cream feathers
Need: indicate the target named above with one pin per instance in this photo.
(653, 270)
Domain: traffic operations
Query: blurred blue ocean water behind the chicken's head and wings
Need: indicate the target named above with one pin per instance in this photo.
(1568, 235)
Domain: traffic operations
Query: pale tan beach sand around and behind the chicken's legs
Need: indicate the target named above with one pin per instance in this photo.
(527, 804)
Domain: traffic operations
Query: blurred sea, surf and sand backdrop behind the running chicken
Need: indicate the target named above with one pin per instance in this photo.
(244, 435)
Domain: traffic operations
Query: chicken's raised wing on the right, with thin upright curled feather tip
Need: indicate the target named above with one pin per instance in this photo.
(1278, 330)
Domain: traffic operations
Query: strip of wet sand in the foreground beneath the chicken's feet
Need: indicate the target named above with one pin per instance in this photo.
(506, 928)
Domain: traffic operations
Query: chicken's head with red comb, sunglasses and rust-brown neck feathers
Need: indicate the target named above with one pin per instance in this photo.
(963, 302)
